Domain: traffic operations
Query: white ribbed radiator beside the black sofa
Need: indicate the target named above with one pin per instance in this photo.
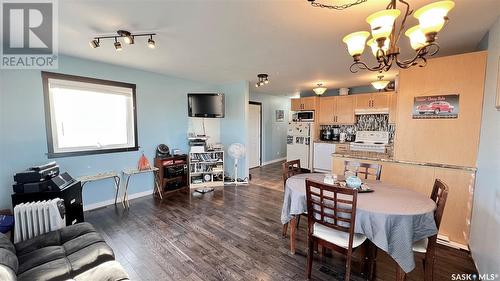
(35, 218)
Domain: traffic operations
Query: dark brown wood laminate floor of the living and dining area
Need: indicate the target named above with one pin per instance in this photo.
(233, 233)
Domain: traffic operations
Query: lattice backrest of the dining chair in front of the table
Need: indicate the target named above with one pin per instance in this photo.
(331, 206)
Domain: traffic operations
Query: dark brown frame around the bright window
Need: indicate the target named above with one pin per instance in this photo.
(48, 118)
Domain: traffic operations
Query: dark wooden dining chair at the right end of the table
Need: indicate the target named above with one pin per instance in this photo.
(427, 246)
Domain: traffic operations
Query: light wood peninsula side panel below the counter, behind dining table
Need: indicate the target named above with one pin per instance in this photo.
(455, 224)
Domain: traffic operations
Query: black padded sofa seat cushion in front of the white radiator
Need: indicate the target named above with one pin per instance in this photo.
(62, 254)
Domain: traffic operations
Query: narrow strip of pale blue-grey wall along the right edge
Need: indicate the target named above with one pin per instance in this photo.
(485, 225)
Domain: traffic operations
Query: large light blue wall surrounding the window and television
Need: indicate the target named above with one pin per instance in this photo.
(162, 118)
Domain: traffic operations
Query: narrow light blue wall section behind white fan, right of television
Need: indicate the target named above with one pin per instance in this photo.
(234, 127)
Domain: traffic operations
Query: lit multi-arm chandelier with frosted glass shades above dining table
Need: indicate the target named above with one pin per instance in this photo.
(384, 41)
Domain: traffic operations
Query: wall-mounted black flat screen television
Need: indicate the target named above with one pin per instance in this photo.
(206, 105)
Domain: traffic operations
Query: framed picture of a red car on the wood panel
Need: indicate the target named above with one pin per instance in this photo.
(434, 107)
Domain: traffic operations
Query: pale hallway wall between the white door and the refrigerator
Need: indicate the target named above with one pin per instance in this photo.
(273, 133)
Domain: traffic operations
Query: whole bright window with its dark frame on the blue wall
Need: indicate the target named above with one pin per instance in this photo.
(88, 116)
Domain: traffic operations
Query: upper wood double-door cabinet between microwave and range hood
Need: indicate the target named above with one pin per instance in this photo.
(336, 110)
